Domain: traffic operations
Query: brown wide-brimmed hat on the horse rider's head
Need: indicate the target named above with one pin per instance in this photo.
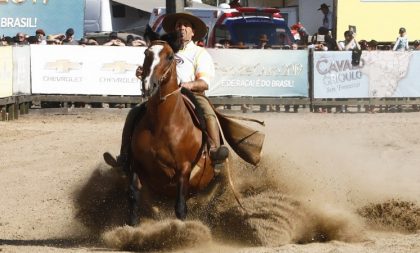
(198, 25)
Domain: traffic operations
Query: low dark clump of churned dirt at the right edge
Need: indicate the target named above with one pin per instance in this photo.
(394, 214)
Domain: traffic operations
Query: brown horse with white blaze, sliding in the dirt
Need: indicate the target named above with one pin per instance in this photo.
(167, 148)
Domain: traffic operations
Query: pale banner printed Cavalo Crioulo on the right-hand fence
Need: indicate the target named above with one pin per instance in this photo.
(380, 74)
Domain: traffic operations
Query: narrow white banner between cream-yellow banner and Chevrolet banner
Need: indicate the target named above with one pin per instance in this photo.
(21, 70)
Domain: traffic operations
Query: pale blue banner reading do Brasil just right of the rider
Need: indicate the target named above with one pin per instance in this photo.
(260, 73)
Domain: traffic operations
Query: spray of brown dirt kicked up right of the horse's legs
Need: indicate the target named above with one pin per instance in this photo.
(274, 217)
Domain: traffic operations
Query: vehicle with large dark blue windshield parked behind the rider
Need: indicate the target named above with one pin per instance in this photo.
(244, 24)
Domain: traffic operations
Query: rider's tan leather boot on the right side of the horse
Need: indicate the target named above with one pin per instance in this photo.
(218, 153)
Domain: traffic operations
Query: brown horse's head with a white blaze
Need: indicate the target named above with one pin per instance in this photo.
(158, 61)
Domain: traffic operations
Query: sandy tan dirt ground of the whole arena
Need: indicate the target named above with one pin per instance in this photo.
(326, 183)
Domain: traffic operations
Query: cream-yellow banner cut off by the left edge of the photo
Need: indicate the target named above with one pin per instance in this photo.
(6, 72)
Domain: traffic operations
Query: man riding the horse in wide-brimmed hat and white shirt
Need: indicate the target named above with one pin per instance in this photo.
(195, 69)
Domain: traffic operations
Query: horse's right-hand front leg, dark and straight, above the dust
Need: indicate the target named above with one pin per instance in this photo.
(182, 191)
